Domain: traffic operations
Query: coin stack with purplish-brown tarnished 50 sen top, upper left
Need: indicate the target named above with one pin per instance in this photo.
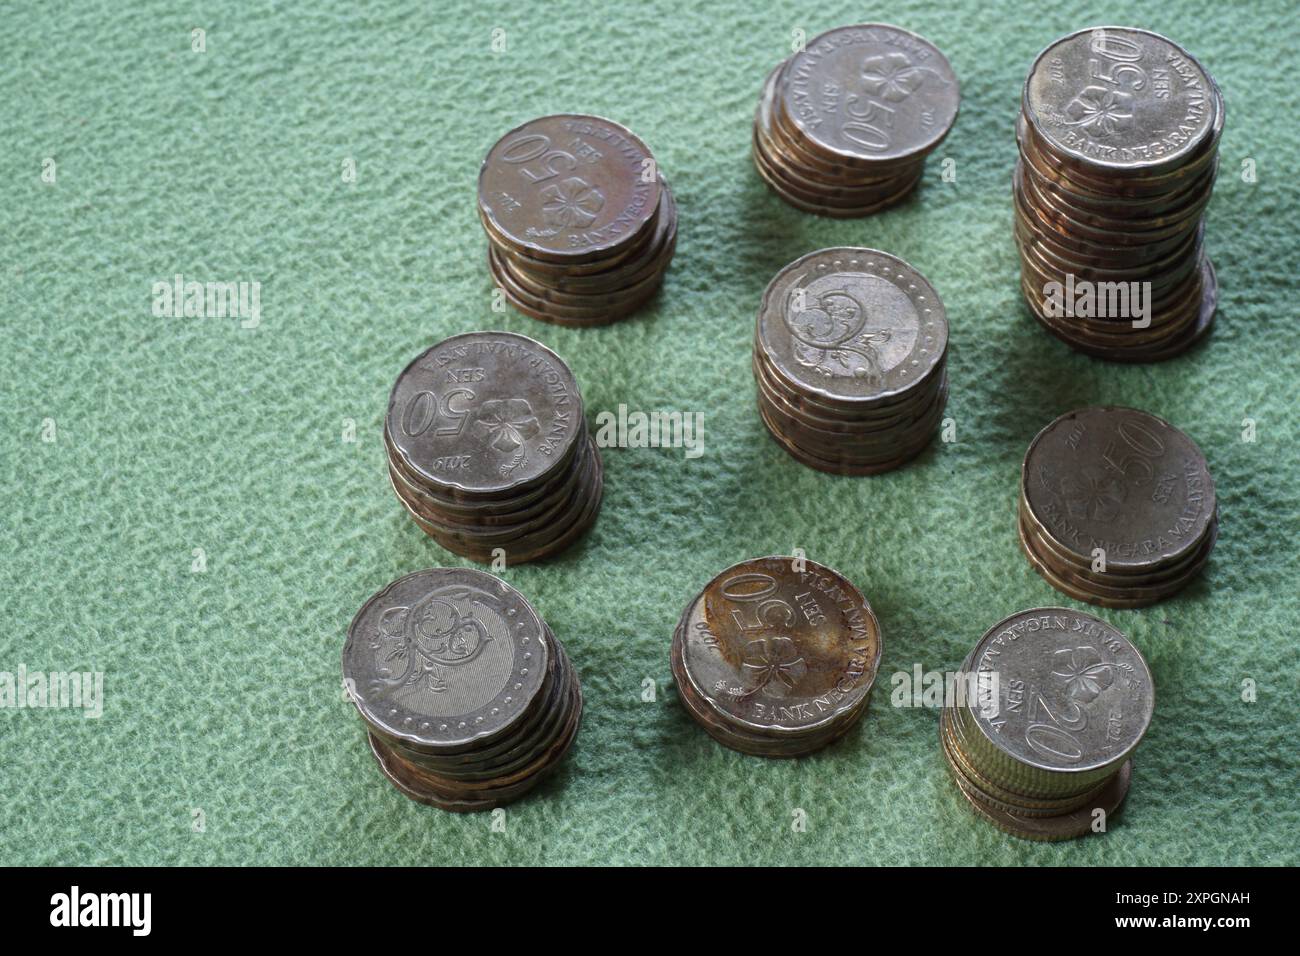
(580, 223)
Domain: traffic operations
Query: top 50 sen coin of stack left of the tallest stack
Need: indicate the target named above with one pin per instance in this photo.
(872, 92)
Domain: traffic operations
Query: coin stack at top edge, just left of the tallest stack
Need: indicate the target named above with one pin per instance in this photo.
(844, 126)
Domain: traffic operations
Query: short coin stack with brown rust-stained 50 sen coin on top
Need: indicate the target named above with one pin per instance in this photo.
(777, 657)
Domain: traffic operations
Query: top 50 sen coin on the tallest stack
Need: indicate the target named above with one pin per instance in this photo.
(1120, 100)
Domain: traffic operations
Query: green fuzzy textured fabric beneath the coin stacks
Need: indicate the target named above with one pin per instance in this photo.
(223, 689)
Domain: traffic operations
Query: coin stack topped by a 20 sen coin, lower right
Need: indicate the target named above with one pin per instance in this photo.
(1050, 708)
